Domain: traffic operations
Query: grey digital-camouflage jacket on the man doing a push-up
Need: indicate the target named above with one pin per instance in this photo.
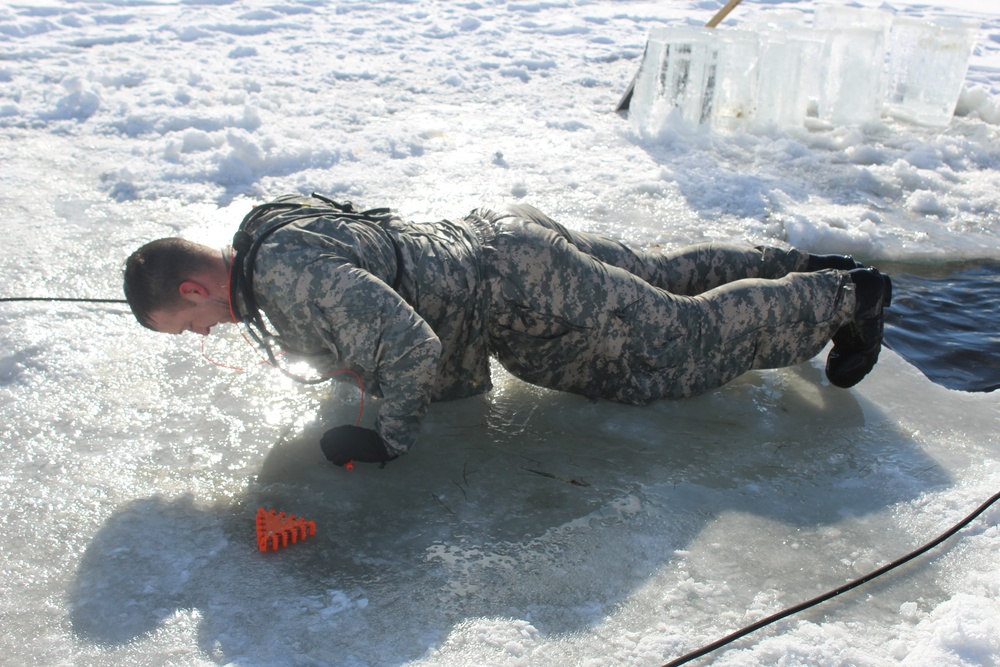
(403, 305)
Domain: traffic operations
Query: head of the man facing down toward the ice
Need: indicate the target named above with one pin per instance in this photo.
(174, 285)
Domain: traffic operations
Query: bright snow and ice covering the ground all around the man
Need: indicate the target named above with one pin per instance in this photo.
(133, 468)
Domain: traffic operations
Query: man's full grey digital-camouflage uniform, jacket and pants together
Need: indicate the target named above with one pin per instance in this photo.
(417, 309)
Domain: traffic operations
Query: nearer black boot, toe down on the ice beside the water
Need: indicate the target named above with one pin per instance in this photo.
(856, 345)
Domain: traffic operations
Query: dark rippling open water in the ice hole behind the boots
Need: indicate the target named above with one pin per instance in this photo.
(945, 320)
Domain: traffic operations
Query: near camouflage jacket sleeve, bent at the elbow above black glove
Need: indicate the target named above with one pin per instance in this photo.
(366, 324)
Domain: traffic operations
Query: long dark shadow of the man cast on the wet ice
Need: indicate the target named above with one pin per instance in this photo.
(529, 505)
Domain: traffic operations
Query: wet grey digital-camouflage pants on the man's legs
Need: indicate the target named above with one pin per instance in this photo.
(577, 312)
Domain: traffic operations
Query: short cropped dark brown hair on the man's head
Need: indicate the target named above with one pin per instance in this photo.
(154, 273)
